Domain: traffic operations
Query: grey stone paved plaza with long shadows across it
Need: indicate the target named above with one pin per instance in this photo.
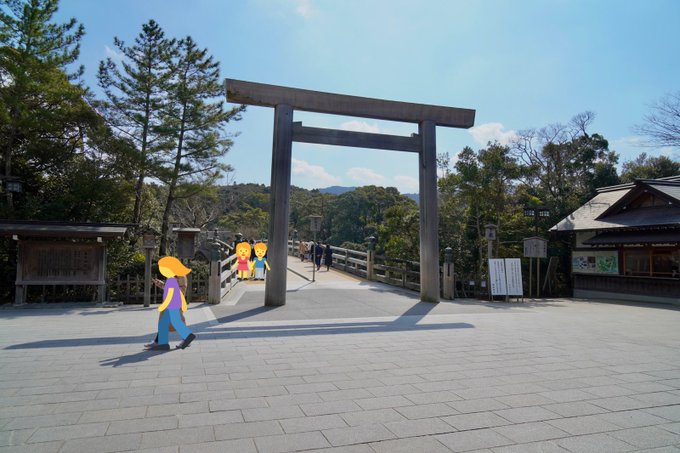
(345, 366)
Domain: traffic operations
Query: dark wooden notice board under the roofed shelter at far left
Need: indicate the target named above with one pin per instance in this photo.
(61, 263)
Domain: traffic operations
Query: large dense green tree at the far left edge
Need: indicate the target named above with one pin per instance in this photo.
(41, 112)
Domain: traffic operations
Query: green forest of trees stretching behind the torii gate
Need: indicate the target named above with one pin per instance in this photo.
(152, 148)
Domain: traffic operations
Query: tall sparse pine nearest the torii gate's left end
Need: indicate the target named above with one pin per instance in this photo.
(194, 116)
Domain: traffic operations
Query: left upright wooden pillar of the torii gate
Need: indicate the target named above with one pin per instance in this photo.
(282, 150)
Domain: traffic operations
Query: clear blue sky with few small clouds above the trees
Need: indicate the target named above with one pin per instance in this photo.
(520, 64)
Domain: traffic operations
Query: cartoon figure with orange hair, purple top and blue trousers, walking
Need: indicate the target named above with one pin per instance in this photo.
(173, 302)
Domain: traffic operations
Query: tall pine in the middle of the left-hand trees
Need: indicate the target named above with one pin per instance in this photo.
(136, 89)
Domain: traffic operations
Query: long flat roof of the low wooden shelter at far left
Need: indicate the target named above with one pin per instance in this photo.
(29, 228)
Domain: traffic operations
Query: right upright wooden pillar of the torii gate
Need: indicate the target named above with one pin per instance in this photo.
(429, 219)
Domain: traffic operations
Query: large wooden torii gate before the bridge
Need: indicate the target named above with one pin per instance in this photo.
(285, 100)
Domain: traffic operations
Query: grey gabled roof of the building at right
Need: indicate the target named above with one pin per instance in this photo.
(608, 209)
